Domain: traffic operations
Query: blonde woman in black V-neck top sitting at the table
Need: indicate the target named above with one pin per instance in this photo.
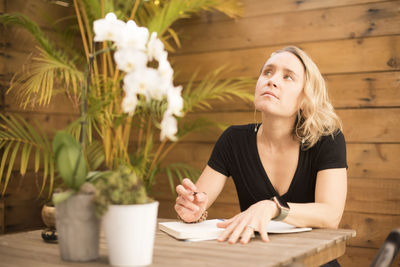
(290, 167)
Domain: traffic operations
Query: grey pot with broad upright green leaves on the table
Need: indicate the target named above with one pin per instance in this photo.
(76, 221)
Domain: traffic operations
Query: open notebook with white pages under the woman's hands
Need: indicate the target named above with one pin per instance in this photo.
(208, 229)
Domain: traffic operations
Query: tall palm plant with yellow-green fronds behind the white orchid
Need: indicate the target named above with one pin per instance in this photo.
(57, 68)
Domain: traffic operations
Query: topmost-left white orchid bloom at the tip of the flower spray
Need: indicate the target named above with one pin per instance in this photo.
(108, 29)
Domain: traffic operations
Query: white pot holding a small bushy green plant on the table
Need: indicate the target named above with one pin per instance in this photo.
(130, 217)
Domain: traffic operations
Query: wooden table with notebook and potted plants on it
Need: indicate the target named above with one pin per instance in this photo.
(309, 248)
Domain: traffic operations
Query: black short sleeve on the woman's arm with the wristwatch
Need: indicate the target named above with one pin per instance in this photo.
(332, 152)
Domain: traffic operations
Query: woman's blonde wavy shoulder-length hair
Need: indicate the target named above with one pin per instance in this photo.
(316, 116)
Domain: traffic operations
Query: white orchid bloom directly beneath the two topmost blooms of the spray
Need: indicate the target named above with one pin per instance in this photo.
(130, 60)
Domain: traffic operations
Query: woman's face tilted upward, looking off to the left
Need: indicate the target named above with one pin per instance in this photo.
(279, 88)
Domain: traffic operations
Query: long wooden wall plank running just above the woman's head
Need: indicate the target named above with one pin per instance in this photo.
(357, 21)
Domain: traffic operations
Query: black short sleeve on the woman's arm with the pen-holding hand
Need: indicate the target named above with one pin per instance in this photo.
(220, 159)
